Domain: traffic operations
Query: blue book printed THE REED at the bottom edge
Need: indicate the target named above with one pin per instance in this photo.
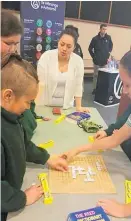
(95, 214)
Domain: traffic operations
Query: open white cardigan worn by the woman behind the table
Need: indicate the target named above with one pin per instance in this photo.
(48, 73)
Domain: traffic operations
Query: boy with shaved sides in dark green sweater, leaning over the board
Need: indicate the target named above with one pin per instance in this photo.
(19, 86)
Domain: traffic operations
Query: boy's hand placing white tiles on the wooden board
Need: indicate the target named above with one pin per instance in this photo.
(58, 163)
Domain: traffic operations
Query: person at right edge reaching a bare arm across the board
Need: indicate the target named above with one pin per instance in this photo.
(112, 207)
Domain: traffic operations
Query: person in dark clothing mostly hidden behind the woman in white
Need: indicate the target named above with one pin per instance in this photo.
(77, 49)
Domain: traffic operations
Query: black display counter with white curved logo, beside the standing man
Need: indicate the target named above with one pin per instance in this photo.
(108, 89)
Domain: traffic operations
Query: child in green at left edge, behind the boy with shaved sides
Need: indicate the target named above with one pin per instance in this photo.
(11, 31)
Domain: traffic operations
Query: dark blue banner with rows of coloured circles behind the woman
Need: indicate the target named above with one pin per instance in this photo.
(43, 23)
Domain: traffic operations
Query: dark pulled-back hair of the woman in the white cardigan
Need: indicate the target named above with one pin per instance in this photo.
(71, 32)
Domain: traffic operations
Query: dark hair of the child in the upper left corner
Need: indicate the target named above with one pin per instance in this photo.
(10, 24)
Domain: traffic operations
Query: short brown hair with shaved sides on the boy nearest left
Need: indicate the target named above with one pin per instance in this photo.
(17, 74)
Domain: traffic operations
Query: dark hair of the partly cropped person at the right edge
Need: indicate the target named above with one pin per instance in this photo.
(126, 62)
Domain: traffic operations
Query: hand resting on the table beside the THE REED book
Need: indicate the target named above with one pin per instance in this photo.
(112, 207)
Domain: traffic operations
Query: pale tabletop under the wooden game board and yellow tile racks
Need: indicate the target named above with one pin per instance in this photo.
(116, 162)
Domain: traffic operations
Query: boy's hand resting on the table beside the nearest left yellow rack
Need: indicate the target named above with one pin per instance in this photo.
(33, 194)
